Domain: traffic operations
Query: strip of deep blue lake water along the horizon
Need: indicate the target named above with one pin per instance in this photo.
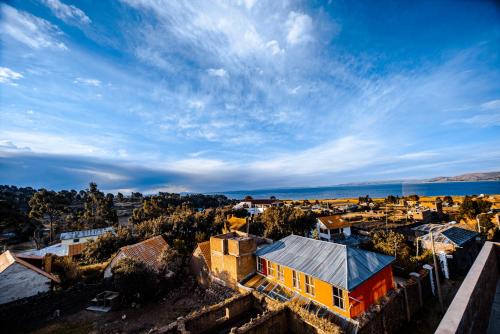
(374, 190)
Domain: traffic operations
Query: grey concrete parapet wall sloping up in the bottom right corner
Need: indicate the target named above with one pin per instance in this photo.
(470, 309)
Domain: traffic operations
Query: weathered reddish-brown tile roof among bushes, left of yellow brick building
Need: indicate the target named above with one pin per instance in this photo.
(147, 251)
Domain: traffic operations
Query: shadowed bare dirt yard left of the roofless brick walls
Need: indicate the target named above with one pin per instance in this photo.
(142, 318)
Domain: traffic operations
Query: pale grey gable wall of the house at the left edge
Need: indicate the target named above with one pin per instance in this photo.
(18, 282)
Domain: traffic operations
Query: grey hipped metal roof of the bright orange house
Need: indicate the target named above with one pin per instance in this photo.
(342, 266)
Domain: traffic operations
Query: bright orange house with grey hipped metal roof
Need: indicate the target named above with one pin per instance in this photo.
(344, 279)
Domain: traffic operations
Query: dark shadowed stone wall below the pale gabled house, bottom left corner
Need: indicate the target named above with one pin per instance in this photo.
(16, 316)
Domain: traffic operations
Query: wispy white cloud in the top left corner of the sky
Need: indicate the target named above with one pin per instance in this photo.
(30, 30)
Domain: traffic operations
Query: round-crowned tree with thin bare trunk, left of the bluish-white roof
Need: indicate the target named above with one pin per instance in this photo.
(48, 205)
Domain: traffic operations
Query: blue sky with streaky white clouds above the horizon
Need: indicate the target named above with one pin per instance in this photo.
(210, 96)
